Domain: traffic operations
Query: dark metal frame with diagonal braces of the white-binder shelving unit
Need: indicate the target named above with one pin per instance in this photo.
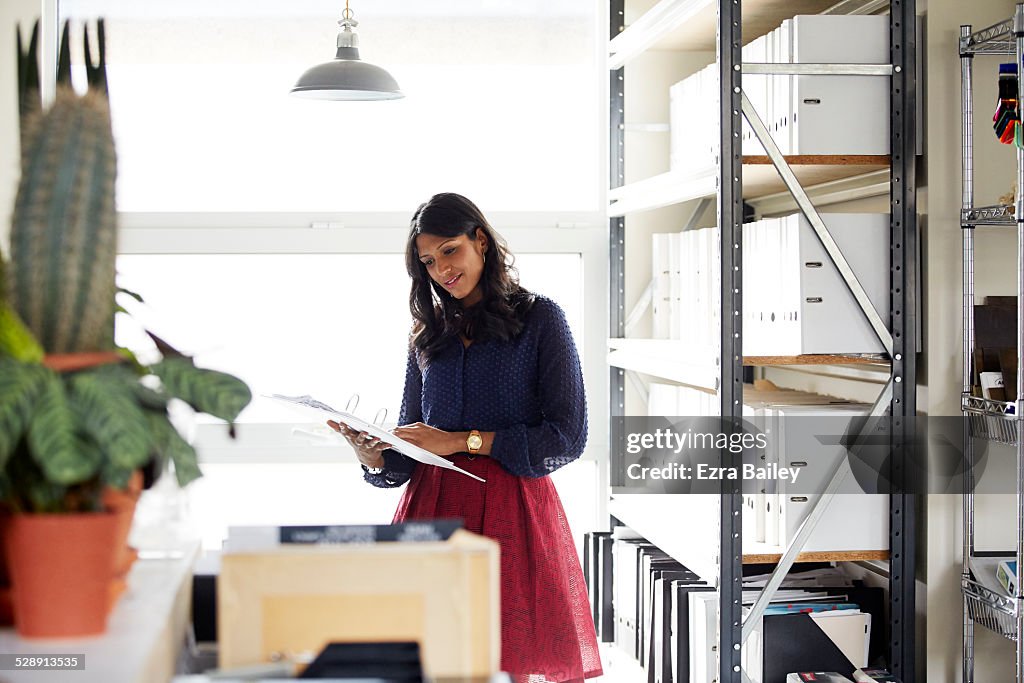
(900, 335)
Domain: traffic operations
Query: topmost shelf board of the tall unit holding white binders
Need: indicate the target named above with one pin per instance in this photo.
(697, 33)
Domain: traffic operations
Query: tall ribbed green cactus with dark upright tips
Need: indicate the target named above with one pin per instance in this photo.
(64, 233)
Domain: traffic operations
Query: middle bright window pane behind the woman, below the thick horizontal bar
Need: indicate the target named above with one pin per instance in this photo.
(326, 325)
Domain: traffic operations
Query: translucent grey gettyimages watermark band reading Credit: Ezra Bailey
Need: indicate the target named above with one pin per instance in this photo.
(800, 454)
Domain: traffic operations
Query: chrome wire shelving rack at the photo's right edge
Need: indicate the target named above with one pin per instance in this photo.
(991, 420)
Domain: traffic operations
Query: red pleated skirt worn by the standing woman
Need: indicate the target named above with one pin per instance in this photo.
(547, 628)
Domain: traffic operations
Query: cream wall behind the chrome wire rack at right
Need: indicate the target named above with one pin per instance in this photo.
(994, 165)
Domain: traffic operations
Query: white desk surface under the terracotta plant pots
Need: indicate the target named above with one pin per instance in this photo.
(145, 633)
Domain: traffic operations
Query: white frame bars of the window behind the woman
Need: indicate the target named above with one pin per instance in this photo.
(559, 233)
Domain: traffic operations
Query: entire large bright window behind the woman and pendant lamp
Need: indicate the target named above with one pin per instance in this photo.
(266, 233)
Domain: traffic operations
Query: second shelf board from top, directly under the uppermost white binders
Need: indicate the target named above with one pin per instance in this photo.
(760, 180)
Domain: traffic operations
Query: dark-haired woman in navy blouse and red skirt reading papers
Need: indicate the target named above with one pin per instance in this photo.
(494, 383)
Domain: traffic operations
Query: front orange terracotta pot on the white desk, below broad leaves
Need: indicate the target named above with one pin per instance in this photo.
(61, 570)
